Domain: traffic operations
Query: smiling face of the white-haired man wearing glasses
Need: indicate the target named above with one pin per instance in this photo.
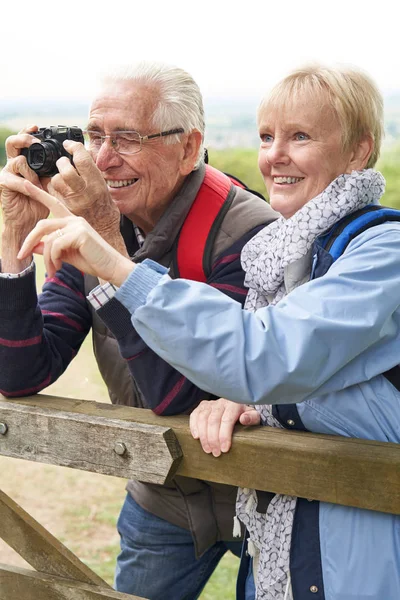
(142, 184)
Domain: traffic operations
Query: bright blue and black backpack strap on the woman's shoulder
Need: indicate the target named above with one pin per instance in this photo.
(339, 237)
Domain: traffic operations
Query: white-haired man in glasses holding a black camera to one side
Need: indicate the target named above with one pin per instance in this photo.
(147, 191)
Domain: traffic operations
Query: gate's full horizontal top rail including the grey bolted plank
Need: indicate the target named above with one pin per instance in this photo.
(135, 443)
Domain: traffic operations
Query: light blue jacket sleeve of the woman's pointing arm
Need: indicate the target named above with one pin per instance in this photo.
(328, 334)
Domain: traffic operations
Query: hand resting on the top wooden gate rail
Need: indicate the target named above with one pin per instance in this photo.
(213, 421)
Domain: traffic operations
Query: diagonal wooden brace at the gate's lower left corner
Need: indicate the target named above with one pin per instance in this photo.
(39, 547)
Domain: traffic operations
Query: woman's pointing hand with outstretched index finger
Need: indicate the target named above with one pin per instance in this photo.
(67, 238)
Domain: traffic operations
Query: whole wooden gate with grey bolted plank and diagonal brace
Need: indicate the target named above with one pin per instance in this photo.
(135, 443)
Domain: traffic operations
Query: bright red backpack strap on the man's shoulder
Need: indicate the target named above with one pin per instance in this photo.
(198, 232)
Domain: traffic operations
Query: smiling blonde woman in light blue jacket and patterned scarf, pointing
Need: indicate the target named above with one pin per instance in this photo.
(315, 340)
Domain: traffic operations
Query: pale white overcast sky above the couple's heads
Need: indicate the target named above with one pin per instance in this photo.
(237, 47)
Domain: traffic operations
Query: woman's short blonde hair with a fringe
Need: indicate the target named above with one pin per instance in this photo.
(352, 94)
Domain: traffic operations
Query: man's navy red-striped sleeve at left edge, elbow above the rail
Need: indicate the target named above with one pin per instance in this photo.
(40, 336)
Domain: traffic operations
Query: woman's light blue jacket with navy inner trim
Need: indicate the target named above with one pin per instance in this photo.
(323, 348)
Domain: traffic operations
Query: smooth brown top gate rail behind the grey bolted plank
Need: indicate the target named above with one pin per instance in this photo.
(345, 471)
